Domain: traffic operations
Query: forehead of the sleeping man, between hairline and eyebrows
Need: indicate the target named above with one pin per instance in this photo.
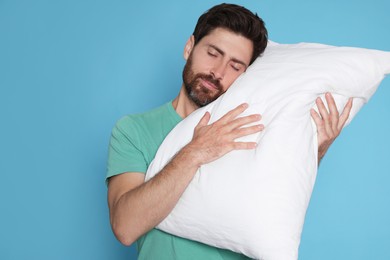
(232, 44)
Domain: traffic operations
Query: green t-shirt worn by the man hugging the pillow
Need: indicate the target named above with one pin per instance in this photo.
(133, 145)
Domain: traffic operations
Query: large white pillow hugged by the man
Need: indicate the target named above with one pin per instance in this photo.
(254, 202)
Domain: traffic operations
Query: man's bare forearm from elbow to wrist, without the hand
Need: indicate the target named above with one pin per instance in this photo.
(141, 209)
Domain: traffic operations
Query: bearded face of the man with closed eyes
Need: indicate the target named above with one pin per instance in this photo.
(214, 64)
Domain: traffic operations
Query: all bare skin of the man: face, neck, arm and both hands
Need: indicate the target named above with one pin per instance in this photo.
(135, 205)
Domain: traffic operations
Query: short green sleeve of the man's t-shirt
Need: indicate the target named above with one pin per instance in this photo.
(124, 153)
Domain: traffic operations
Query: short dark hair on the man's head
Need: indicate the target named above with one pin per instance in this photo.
(237, 19)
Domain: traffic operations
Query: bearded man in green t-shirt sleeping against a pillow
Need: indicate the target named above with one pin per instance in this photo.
(226, 40)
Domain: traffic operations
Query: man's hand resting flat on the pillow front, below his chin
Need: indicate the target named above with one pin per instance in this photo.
(211, 142)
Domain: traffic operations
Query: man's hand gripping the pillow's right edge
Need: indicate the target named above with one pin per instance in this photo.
(329, 124)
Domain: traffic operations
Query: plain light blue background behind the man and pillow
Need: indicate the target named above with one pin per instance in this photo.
(70, 69)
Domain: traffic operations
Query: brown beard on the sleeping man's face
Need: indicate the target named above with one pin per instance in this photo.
(196, 92)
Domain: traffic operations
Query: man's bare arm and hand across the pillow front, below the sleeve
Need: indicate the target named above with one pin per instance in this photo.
(137, 206)
